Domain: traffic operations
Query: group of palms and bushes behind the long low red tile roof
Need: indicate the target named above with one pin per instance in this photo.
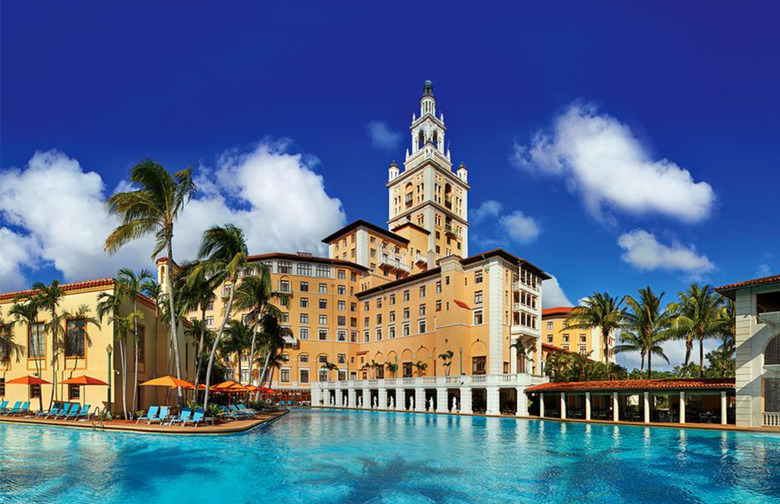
(644, 324)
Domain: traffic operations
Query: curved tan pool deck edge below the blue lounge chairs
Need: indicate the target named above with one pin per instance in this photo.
(234, 427)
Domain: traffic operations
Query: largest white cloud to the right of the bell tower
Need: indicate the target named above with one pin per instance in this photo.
(603, 161)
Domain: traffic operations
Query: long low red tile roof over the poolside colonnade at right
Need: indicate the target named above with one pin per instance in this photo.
(655, 384)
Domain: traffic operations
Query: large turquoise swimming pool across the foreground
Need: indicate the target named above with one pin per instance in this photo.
(362, 456)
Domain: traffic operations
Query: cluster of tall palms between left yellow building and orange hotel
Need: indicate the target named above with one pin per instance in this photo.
(153, 206)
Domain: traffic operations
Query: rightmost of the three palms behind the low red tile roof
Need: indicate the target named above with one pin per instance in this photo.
(695, 317)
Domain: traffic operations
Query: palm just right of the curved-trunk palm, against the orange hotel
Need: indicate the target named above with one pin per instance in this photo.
(254, 295)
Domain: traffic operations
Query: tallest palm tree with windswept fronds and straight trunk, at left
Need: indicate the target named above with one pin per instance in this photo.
(153, 209)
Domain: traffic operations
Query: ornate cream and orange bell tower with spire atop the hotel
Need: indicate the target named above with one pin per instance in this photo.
(427, 193)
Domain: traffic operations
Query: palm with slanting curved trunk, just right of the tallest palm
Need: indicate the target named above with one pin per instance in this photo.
(223, 255)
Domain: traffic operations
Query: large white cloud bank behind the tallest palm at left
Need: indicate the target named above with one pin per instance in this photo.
(274, 195)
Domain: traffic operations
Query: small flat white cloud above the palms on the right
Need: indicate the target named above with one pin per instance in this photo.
(645, 252)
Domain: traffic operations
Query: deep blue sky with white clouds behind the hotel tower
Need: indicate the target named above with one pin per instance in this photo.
(617, 145)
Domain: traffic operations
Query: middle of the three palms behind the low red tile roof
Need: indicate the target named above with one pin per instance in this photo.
(646, 322)
